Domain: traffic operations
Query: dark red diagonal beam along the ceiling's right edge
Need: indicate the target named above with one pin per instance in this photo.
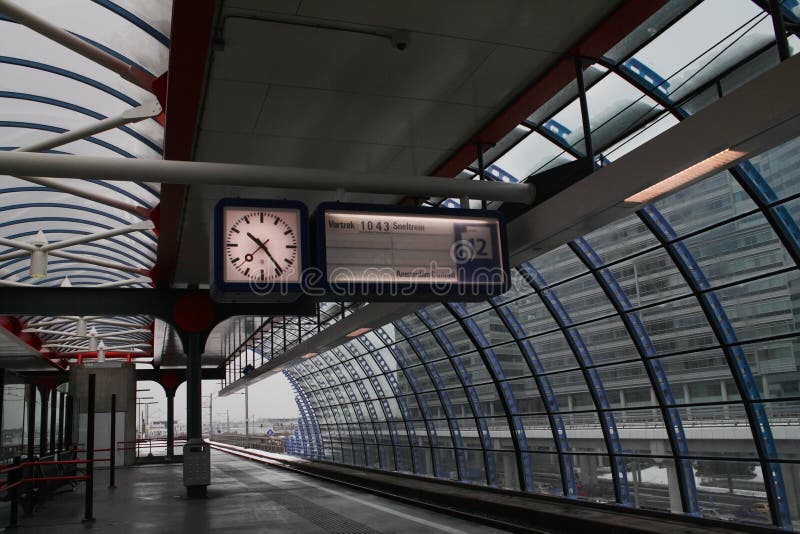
(607, 34)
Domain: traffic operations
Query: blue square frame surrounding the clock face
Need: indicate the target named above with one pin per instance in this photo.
(242, 291)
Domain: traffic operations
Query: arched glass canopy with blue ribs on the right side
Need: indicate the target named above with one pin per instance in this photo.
(652, 363)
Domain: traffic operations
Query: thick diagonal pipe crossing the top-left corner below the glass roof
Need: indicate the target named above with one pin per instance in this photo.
(76, 44)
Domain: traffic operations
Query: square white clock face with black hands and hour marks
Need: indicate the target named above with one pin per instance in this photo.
(261, 245)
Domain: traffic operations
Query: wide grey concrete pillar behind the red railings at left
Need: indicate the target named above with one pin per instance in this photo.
(112, 377)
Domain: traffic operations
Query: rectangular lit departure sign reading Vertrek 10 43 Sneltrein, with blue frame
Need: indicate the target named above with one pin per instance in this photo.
(399, 253)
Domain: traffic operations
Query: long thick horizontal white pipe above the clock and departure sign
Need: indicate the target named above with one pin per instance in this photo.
(193, 172)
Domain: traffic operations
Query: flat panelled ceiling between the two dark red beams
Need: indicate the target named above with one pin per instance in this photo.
(299, 96)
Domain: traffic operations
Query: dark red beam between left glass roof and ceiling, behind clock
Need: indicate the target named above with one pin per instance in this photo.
(189, 41)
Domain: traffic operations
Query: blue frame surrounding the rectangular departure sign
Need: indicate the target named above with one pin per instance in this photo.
(408, 291)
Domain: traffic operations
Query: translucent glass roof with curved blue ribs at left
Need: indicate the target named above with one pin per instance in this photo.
(47, 89)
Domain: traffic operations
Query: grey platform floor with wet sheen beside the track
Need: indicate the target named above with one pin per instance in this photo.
(244, 497)
